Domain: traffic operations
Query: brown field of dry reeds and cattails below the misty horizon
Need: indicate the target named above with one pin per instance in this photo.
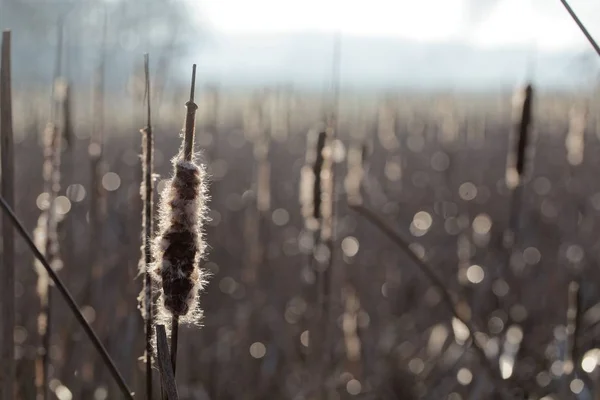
(377, 246)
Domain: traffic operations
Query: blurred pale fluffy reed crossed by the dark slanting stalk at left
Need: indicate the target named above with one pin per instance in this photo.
(46, 238)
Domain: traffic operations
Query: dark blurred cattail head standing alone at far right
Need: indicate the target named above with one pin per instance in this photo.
(517, 159)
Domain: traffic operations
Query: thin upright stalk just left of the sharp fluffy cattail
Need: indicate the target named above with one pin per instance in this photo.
(146, 192)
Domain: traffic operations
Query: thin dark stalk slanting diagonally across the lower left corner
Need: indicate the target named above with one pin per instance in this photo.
(8, 211)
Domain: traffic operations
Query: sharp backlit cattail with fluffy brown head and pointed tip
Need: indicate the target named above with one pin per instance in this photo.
(179, 246)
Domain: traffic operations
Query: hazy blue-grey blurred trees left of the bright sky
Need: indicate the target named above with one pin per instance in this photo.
(90, 31)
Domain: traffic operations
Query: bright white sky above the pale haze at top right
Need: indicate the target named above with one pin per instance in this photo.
(543, 24)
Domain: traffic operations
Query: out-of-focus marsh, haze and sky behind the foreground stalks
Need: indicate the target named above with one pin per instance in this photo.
(423, 91)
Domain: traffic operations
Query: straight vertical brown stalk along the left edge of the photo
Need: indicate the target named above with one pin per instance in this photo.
(7, 313)
